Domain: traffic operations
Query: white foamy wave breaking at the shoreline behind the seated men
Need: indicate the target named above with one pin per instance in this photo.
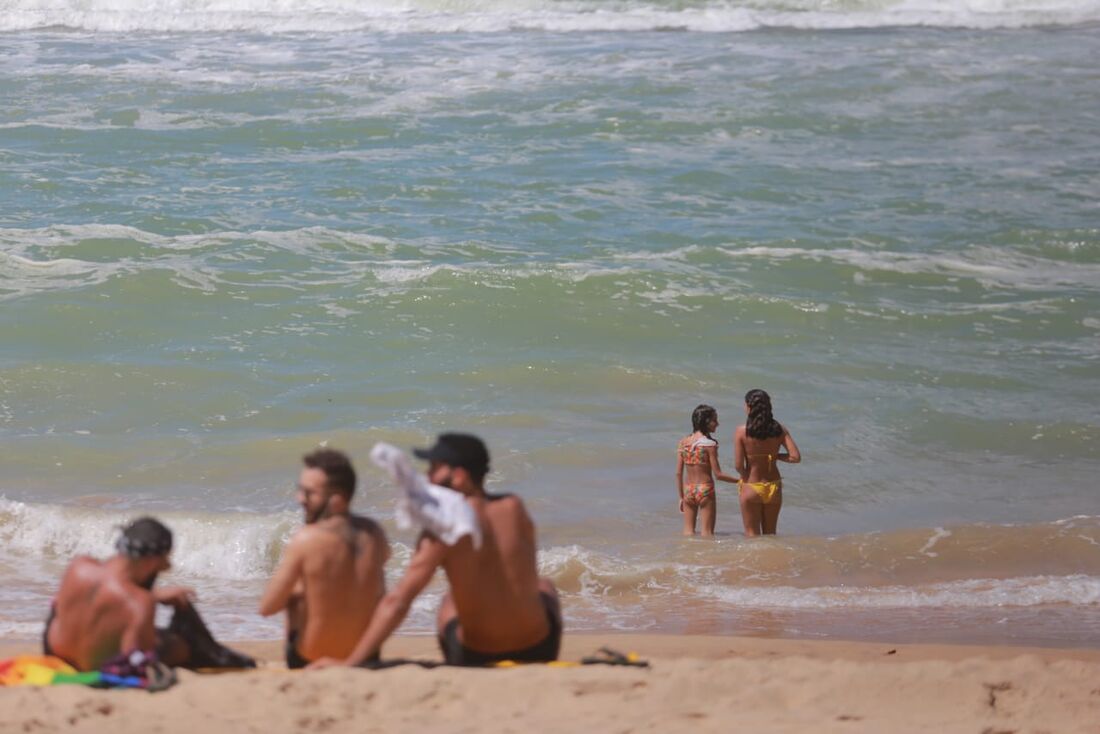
(229, 556)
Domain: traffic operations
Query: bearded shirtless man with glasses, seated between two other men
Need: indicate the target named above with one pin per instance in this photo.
(332, 575)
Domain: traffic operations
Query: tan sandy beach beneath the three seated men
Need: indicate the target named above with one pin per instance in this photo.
(696, 683)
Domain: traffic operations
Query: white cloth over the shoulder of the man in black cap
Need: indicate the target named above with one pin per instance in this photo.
(443, 512)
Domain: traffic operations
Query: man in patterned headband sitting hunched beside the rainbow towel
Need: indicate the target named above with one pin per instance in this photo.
(105, 609)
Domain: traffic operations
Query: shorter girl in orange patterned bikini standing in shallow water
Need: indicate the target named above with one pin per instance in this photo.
(699, 453)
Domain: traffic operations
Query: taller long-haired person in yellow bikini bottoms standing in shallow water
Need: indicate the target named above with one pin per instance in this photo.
(756, 456)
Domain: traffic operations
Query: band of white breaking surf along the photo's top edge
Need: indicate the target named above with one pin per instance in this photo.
(498, 16)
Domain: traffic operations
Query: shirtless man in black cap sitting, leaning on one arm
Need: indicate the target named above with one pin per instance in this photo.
(498, 608)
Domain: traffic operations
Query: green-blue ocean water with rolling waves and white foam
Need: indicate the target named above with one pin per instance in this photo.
(232, 231)
